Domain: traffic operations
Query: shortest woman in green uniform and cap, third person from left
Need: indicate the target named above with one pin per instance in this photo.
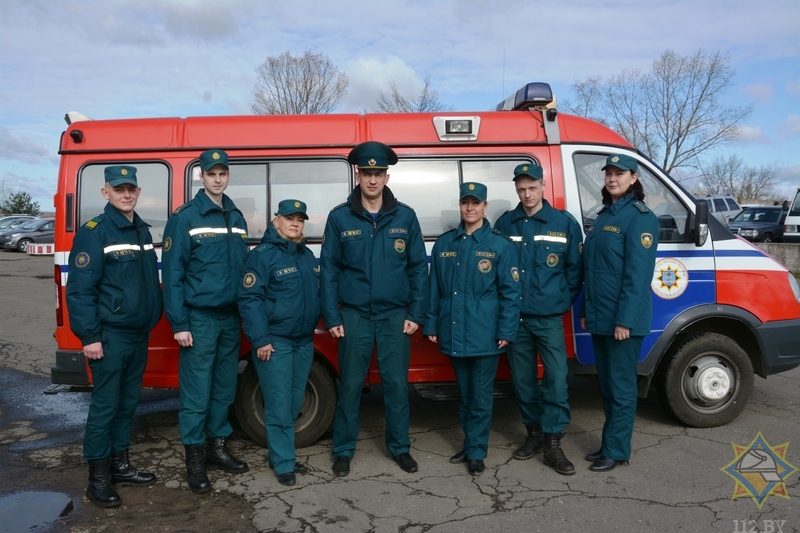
(279, 304)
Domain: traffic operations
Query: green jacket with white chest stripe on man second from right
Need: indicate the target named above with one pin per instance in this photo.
(549, 246)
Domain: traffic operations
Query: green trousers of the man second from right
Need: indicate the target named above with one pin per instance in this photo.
(547, 404)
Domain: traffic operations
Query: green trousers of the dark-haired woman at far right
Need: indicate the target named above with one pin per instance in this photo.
(617, 374)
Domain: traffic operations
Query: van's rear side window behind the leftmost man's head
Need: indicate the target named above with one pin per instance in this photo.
(152, 206)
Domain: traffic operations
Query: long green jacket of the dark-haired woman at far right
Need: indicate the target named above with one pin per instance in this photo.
(619, 256)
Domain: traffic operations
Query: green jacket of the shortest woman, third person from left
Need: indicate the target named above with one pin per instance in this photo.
(279, 292)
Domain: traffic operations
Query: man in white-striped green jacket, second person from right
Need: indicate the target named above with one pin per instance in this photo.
(549, 244)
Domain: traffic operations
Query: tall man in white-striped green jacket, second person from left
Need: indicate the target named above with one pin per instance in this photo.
(205, 243)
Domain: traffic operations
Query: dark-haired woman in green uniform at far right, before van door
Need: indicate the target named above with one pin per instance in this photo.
(619, 257)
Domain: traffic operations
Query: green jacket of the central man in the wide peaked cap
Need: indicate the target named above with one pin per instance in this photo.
(377, 269)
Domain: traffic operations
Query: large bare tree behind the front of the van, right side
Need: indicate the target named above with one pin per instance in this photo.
(674, 113)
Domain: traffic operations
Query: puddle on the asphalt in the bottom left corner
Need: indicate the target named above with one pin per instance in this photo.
(32, 511)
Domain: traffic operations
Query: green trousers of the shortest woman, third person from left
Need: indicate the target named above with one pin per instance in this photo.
(283, 383)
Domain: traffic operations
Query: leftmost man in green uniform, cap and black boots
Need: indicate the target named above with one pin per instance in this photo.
(114, 300)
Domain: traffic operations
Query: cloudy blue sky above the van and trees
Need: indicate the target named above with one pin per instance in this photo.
(141, 58)
